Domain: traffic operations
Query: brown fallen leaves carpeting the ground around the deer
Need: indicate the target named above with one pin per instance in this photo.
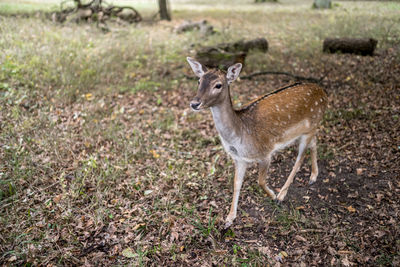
(139, 178)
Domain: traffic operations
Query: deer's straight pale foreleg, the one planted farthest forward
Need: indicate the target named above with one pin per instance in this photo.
(240, 169)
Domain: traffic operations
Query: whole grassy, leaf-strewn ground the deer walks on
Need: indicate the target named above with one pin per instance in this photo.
(103, 163)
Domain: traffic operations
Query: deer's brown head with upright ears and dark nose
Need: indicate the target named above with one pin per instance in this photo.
(213, 84)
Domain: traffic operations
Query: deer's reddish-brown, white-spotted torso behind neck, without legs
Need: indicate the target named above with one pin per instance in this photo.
(285, 113)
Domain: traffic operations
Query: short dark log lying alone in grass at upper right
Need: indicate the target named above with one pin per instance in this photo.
(359, 46)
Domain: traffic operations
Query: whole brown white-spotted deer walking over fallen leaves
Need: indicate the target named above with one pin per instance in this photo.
(267, 124)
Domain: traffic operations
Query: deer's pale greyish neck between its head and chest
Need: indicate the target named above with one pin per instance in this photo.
(226, 120)
